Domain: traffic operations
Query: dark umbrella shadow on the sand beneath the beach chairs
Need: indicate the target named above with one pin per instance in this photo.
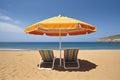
(85, 65)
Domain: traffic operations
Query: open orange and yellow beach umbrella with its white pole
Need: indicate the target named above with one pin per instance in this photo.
(60, 26)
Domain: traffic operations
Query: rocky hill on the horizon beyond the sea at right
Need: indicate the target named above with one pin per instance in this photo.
(114, 38)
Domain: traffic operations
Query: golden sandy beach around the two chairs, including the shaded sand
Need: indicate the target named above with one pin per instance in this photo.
(95, 65)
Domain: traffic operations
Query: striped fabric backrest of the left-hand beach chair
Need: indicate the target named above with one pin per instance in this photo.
(47, 55)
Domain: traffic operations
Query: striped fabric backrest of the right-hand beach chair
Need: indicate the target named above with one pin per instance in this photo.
(70, 54)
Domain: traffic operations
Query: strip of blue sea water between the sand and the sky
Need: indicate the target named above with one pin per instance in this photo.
(55, 45)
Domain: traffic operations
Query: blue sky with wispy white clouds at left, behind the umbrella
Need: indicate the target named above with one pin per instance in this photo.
(16, 15)
